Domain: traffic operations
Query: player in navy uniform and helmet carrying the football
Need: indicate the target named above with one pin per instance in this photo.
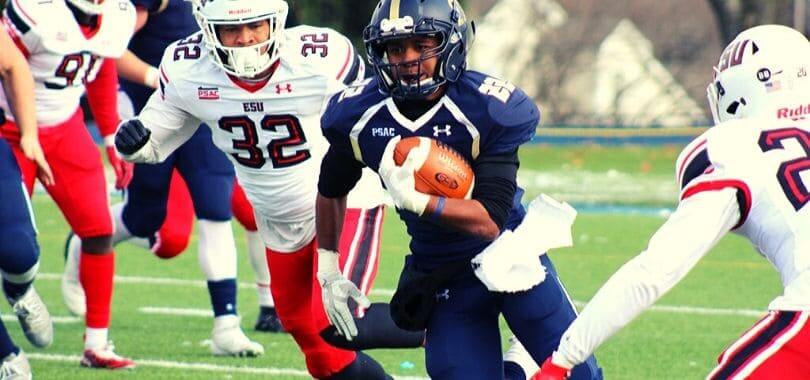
(418, 49)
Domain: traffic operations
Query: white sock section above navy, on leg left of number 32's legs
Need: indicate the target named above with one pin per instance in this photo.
(217, 250)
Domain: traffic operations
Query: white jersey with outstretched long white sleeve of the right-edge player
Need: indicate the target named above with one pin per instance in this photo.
(748, 176)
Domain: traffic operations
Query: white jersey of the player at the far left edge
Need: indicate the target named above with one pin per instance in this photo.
(62, 58)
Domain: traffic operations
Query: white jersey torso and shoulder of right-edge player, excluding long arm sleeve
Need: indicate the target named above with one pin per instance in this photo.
(768, 162)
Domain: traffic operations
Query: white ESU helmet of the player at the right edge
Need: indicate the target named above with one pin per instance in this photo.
(764, 68)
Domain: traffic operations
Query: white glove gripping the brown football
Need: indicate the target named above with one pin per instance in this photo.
(399, 180)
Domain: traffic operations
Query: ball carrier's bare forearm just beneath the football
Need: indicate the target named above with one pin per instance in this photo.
(467, 215)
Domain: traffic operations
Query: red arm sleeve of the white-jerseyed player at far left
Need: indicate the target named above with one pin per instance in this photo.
(103, 98)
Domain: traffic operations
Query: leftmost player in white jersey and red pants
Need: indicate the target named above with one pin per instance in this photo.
(70, 46)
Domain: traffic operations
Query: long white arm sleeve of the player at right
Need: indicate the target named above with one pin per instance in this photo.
(694, 228)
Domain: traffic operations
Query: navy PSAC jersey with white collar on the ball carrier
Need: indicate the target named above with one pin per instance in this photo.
(477, 116)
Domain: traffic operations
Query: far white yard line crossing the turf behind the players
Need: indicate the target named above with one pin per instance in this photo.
(675, 309)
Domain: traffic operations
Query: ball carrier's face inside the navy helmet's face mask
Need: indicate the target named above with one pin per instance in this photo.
(405, 53)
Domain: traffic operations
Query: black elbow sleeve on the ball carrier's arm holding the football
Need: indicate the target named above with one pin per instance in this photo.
(495, 184)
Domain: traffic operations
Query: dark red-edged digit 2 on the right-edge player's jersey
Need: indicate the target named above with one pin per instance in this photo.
(789, 174)
